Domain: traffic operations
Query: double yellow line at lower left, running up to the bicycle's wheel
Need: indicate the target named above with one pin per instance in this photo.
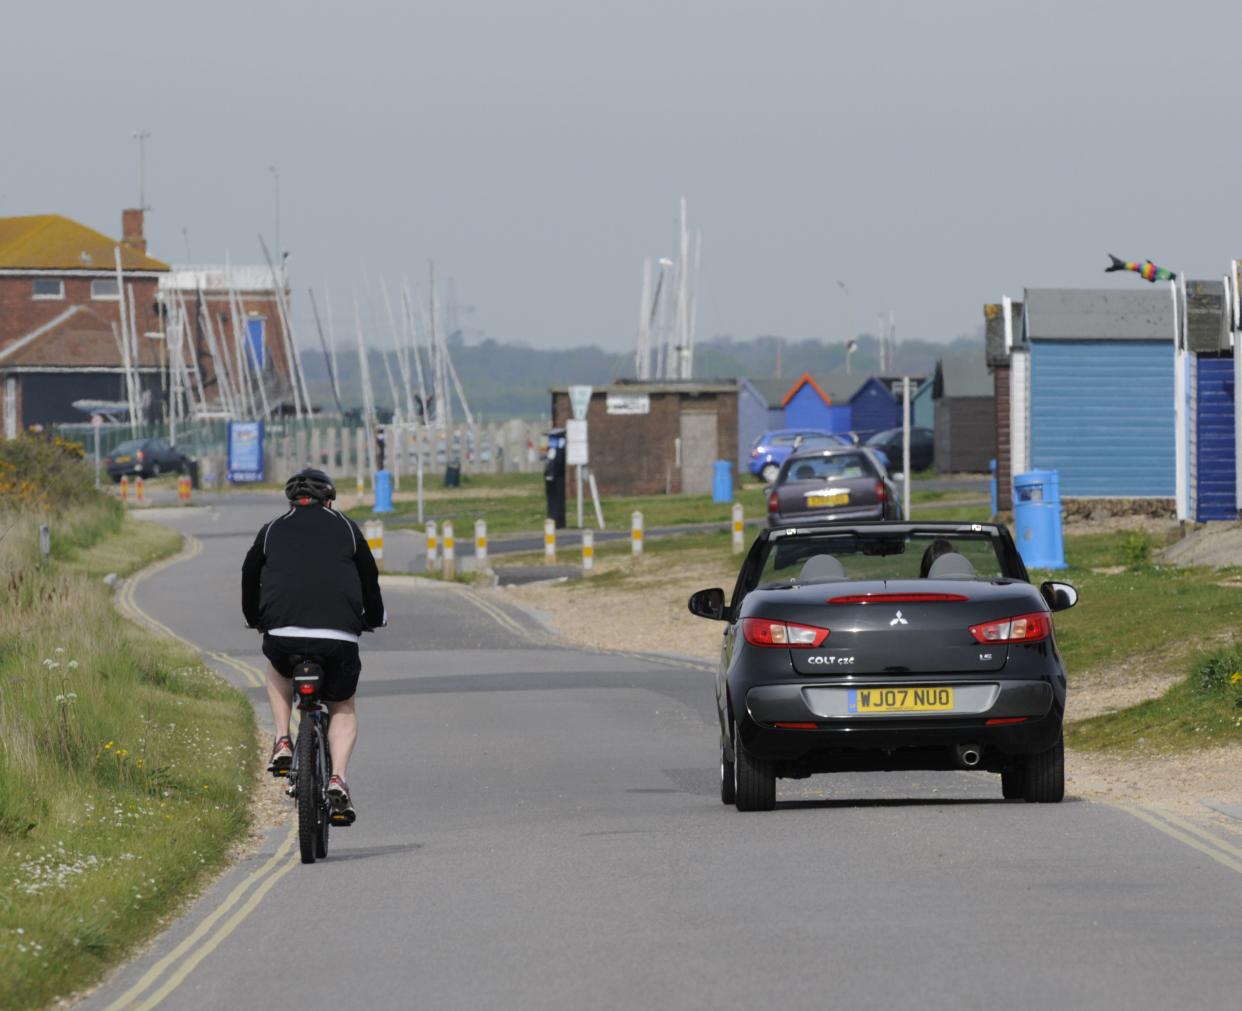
(208, 936)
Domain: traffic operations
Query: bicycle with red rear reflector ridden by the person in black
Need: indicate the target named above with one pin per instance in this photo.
(312, 764)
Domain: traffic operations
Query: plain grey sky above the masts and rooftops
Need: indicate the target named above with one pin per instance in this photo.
(931, 156)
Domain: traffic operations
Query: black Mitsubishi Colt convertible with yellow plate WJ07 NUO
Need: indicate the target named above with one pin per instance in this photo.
(886, 646)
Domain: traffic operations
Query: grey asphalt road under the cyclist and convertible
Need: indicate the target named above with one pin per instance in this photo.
(541, 828)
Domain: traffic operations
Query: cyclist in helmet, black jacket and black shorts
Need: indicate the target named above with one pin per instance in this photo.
(310, 583)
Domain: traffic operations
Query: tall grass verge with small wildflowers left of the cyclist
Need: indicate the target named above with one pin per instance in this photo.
(125, 764)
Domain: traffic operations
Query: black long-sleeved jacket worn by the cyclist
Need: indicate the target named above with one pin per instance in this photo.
(314, 568)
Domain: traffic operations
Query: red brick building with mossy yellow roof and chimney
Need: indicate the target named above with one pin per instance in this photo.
(60, 317)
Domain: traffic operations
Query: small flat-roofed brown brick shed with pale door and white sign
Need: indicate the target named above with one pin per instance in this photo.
(654, 438)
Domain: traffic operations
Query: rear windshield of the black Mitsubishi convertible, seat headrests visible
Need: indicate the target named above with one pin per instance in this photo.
(803, 558)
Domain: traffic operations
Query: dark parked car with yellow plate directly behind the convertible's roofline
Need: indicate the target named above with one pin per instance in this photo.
(839, 484)
